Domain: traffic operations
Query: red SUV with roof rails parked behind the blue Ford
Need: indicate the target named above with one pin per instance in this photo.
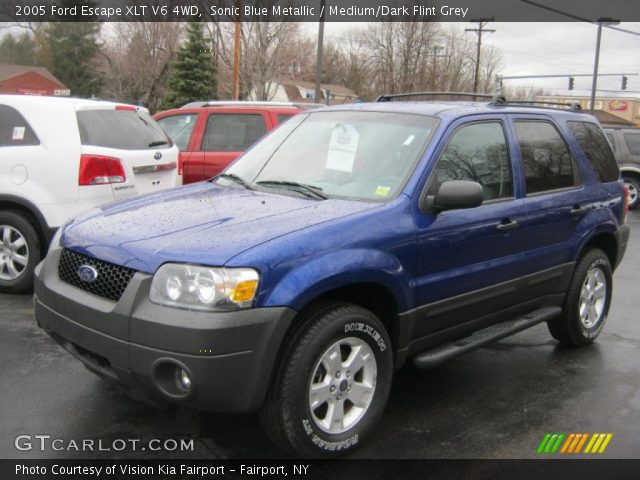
(210, 135)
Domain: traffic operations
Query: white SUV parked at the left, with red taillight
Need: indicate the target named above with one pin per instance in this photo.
(61, 156)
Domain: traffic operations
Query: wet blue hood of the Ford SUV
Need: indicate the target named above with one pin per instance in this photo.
(201, 223)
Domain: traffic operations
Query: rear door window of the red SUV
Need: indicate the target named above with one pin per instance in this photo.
(228, 132)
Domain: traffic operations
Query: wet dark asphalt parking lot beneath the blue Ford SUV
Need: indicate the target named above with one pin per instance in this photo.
(497, 402)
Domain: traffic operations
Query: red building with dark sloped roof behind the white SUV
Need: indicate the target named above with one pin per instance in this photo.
(25, 80)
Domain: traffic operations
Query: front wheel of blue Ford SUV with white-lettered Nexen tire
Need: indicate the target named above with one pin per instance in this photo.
(287, 415)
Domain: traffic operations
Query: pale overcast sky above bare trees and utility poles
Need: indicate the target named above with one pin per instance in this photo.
(552, 48)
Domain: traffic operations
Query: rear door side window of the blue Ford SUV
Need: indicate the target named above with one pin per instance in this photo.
(548, 164)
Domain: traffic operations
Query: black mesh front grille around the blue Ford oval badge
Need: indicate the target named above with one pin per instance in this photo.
(111, 282)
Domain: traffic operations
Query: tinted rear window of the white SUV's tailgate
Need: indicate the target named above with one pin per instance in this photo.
(121, 129)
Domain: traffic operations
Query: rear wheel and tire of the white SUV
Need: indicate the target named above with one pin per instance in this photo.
(19, 280)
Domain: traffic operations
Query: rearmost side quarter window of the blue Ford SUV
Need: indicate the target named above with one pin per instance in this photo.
(597, 150)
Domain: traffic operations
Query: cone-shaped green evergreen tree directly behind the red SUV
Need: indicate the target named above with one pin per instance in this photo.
(193, 75)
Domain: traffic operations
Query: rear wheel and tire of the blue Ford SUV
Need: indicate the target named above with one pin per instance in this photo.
(570, 329)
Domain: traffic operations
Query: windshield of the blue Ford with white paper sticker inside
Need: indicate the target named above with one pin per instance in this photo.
(345, 154)
